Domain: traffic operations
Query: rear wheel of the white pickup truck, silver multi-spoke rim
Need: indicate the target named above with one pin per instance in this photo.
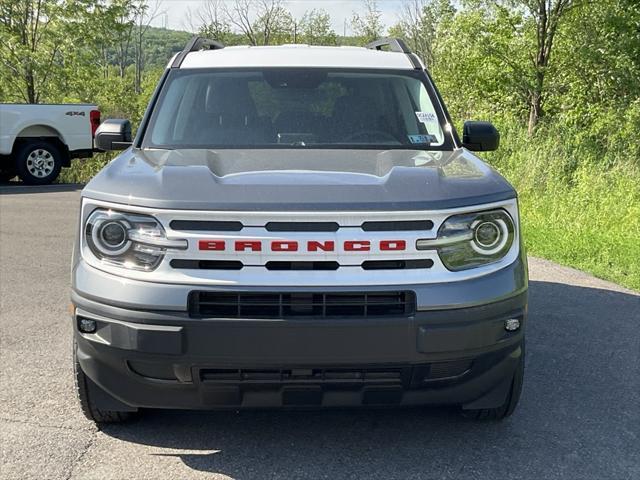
(38, 162)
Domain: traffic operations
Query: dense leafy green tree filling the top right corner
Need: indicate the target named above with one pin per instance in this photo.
(594, 86)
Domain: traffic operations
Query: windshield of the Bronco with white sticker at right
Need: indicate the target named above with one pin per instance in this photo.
(295, 107)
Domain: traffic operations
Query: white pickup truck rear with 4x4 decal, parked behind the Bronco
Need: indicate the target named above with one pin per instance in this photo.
(36, 141)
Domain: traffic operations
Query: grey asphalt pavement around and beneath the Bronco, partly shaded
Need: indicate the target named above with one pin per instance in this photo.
(579, 417)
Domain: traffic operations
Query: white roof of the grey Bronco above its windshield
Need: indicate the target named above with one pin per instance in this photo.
(297, 56)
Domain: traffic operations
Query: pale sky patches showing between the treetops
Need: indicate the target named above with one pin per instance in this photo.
(340, 10)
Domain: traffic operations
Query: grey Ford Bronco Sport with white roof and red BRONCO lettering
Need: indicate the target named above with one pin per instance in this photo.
(298, 226)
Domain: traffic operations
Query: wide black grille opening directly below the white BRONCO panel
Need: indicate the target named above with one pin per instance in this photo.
(301, 304)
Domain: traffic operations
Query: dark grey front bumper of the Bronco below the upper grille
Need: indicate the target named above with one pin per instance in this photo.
(164, 359)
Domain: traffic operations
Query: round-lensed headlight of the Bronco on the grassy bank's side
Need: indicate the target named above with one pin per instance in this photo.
(472, 239)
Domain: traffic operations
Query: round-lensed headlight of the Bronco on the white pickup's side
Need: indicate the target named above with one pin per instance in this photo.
(137, 242)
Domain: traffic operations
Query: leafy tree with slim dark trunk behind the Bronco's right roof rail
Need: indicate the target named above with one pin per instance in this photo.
(512, 41)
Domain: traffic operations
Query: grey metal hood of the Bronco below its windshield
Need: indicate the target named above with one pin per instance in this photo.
(298, 179)
